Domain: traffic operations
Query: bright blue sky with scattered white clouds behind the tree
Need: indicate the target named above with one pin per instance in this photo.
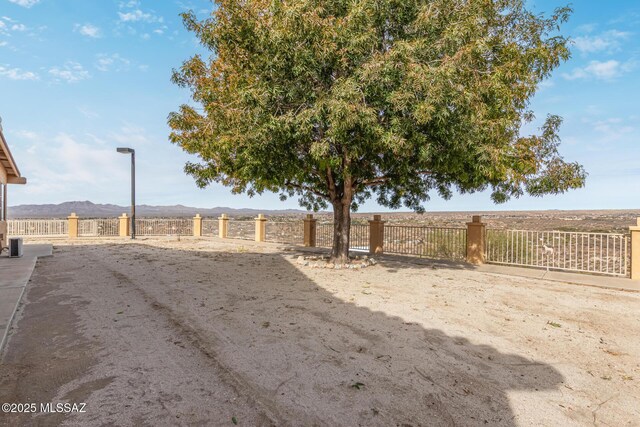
(80, 77)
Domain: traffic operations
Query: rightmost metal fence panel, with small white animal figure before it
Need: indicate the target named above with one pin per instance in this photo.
(602, 253)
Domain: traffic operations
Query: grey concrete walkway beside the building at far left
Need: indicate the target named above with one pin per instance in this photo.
(14, 276)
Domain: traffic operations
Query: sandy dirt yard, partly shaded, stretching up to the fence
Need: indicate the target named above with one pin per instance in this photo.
(210, 332)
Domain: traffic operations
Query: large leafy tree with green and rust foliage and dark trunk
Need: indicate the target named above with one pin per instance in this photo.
(337, 101)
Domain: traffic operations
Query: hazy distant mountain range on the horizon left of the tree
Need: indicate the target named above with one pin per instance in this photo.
(88, 209)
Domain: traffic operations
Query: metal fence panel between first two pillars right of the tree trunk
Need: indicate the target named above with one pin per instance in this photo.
(429, 242)
